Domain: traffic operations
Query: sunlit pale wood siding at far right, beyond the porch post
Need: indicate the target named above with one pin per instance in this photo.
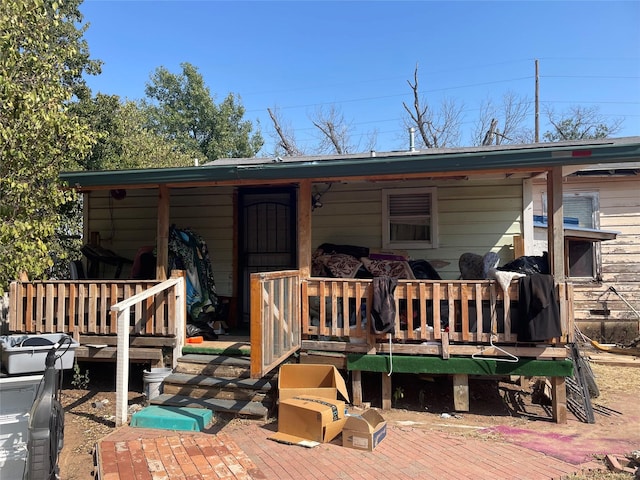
(599, 312)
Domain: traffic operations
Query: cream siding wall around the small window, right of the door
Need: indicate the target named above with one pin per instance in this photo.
(473, 216)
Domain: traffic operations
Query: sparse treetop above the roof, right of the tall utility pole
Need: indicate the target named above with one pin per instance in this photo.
(580, 123)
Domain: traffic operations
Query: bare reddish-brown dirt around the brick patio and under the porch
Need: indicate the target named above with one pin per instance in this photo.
(498, 409)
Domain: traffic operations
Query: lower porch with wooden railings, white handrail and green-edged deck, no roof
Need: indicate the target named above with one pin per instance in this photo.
(461, 328)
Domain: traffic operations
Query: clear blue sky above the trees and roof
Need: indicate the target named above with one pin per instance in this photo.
(357, 56)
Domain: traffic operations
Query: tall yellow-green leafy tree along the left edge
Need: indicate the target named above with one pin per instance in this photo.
(42, 59)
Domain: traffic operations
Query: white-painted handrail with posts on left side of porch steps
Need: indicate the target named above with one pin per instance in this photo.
(174, 290)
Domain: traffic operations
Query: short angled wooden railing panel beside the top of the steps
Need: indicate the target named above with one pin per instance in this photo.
(275, 318)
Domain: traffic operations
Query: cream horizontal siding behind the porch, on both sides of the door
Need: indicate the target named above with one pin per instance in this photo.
(473, 216)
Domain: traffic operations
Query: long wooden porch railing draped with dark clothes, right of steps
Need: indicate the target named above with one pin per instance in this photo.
(427, 312)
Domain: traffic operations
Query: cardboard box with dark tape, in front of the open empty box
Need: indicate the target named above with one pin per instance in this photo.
(308, 420)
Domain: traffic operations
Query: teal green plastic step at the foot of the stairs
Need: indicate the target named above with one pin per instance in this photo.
(172, 418)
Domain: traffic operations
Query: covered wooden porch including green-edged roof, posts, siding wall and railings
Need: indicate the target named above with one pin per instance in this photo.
(446, 326)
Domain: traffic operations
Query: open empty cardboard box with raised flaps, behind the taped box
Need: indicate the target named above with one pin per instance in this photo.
(295, 380)
